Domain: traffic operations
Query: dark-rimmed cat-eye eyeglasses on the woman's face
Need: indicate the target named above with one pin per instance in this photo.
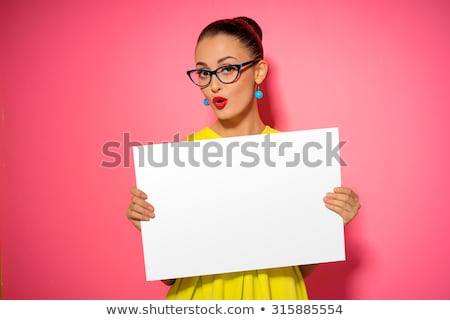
(225, 74)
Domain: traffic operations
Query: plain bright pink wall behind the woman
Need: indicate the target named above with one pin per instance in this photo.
(77, 74)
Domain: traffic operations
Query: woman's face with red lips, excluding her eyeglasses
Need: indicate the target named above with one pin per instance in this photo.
(234, 99)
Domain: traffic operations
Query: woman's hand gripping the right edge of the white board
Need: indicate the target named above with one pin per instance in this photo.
(344, 201)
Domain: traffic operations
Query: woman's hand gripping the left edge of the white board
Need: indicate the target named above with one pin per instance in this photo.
(139, 209)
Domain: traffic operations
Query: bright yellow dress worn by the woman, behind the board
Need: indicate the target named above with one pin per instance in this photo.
(269, 284)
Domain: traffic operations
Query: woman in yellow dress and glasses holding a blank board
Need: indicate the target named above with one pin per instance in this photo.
(230, 67)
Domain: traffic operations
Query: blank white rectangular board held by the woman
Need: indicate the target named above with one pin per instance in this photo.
(240, 203)
